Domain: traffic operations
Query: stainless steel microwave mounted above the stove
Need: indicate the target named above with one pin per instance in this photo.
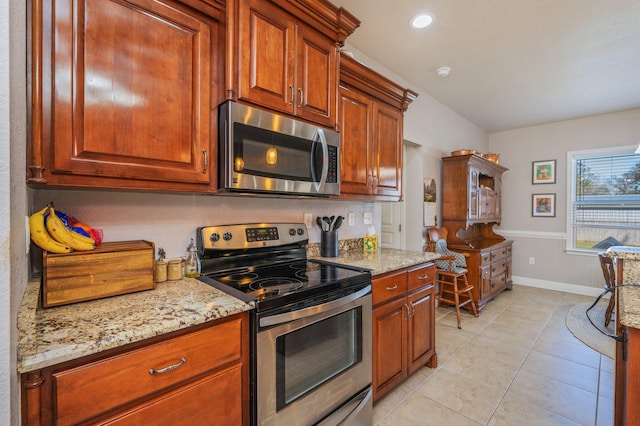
(263, 152)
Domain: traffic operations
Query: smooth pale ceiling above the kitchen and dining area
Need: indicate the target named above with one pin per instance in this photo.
(515, 63)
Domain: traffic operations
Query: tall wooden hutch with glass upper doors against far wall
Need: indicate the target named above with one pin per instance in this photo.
(471, 206)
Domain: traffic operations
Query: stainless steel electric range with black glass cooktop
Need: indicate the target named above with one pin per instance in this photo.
(311, 326)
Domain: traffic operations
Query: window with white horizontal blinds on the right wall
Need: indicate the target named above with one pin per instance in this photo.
(605, 199)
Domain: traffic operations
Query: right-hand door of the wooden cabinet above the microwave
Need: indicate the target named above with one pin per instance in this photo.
(316, 77)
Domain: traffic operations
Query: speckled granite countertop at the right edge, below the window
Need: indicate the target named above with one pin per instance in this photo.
(629, 297)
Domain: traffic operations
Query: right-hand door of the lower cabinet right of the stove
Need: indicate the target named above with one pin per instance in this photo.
(421, 339)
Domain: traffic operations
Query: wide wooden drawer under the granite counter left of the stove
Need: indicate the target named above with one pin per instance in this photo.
(86, 391)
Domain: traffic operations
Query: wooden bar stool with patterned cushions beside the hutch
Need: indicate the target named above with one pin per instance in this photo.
(451, 275)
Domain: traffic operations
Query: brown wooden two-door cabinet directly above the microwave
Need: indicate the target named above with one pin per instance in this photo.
(283, 55)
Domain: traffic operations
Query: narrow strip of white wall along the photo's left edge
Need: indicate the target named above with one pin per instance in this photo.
(13, 203)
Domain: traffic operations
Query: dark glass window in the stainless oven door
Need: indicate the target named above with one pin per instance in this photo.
(310, 356)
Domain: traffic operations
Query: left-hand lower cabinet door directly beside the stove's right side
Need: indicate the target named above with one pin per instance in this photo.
(389, 346)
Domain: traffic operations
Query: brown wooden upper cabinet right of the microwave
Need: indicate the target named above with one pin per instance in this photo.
(371, 111)
